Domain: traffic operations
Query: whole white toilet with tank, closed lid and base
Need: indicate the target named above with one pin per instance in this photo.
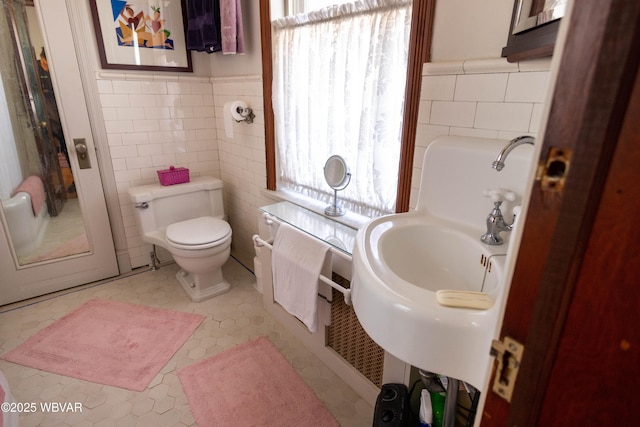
(188, 221)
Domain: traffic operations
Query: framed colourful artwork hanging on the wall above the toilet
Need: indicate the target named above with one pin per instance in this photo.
(144, 35)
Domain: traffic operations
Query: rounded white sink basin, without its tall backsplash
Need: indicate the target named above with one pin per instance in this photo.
(399, 263)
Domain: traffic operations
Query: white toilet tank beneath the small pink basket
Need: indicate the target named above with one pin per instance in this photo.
(202, 196)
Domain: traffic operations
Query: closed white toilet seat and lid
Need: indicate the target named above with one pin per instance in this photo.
(198, 233)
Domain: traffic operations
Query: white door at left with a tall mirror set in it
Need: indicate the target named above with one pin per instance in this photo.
(74, 245)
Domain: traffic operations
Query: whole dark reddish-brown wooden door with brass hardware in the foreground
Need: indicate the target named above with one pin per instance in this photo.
(575, 295)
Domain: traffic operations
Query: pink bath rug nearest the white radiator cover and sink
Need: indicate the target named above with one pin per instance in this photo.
(251, 385)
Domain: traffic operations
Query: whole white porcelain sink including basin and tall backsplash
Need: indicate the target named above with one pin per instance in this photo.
(401, 261)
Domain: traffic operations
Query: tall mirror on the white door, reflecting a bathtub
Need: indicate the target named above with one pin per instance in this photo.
(40, 208)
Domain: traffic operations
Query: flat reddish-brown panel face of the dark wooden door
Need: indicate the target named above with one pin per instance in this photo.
(599, 352)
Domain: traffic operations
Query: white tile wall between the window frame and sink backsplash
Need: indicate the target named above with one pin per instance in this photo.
(502, 104)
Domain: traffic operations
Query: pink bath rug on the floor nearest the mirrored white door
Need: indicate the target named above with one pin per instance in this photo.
(108, 342)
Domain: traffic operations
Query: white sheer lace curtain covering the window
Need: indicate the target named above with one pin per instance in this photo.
(338, 88)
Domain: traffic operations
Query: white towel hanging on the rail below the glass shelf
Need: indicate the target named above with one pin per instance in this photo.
(297, 261)
